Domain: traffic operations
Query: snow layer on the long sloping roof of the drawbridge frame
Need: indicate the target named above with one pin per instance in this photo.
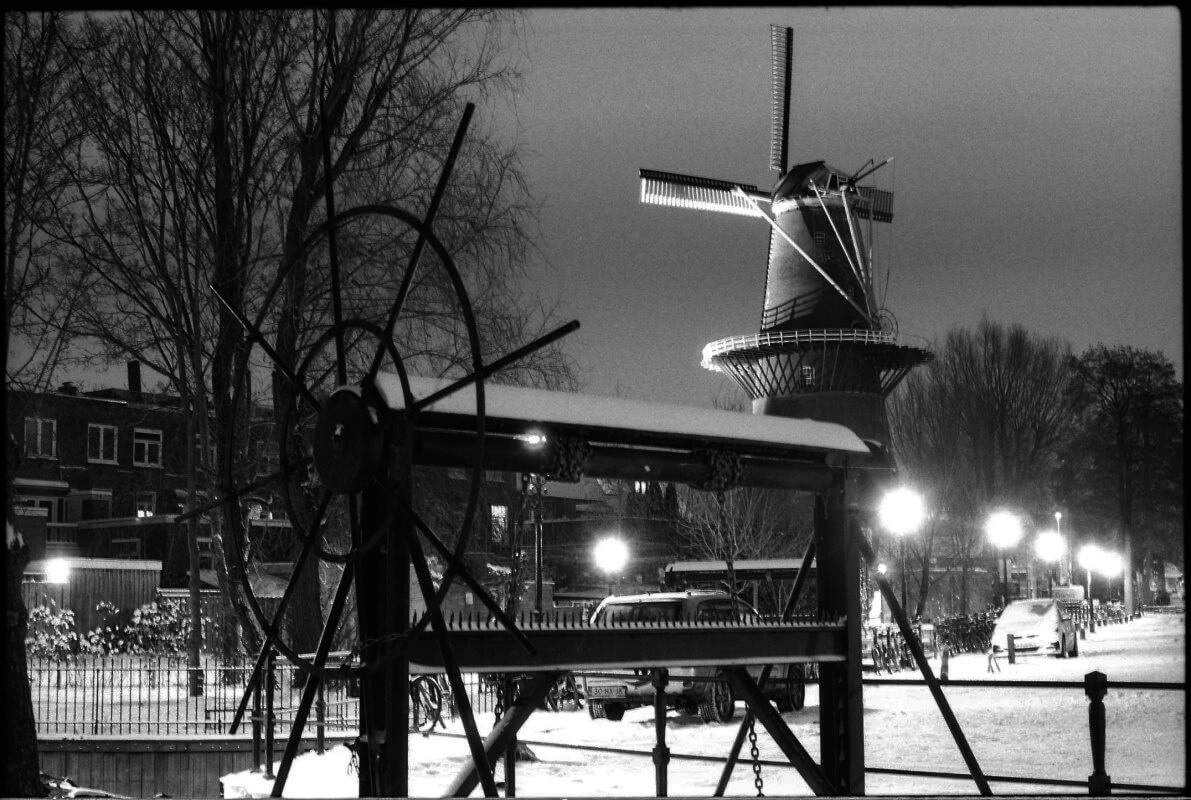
(543, 407)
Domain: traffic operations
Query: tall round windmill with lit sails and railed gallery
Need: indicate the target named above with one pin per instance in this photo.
(826, 351)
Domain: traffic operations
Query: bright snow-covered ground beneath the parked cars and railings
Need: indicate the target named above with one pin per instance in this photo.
(1026, 733)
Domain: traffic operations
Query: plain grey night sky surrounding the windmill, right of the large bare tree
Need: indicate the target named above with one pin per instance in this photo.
(1038, 172)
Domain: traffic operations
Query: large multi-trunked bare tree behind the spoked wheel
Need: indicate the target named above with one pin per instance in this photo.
(223, 180)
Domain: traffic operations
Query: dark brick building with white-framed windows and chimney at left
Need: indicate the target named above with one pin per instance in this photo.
(103, 474)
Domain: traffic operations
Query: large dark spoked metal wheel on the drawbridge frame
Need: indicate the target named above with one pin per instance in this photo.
(348, 424)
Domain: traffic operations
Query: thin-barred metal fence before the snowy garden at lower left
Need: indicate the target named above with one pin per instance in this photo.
(151, 696)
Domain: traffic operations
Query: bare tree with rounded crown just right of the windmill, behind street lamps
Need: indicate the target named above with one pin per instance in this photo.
(977, 429)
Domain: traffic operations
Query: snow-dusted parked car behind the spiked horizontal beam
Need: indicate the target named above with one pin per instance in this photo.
(693, 690)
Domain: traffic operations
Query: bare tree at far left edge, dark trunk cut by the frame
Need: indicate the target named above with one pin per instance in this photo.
(39, 132)
